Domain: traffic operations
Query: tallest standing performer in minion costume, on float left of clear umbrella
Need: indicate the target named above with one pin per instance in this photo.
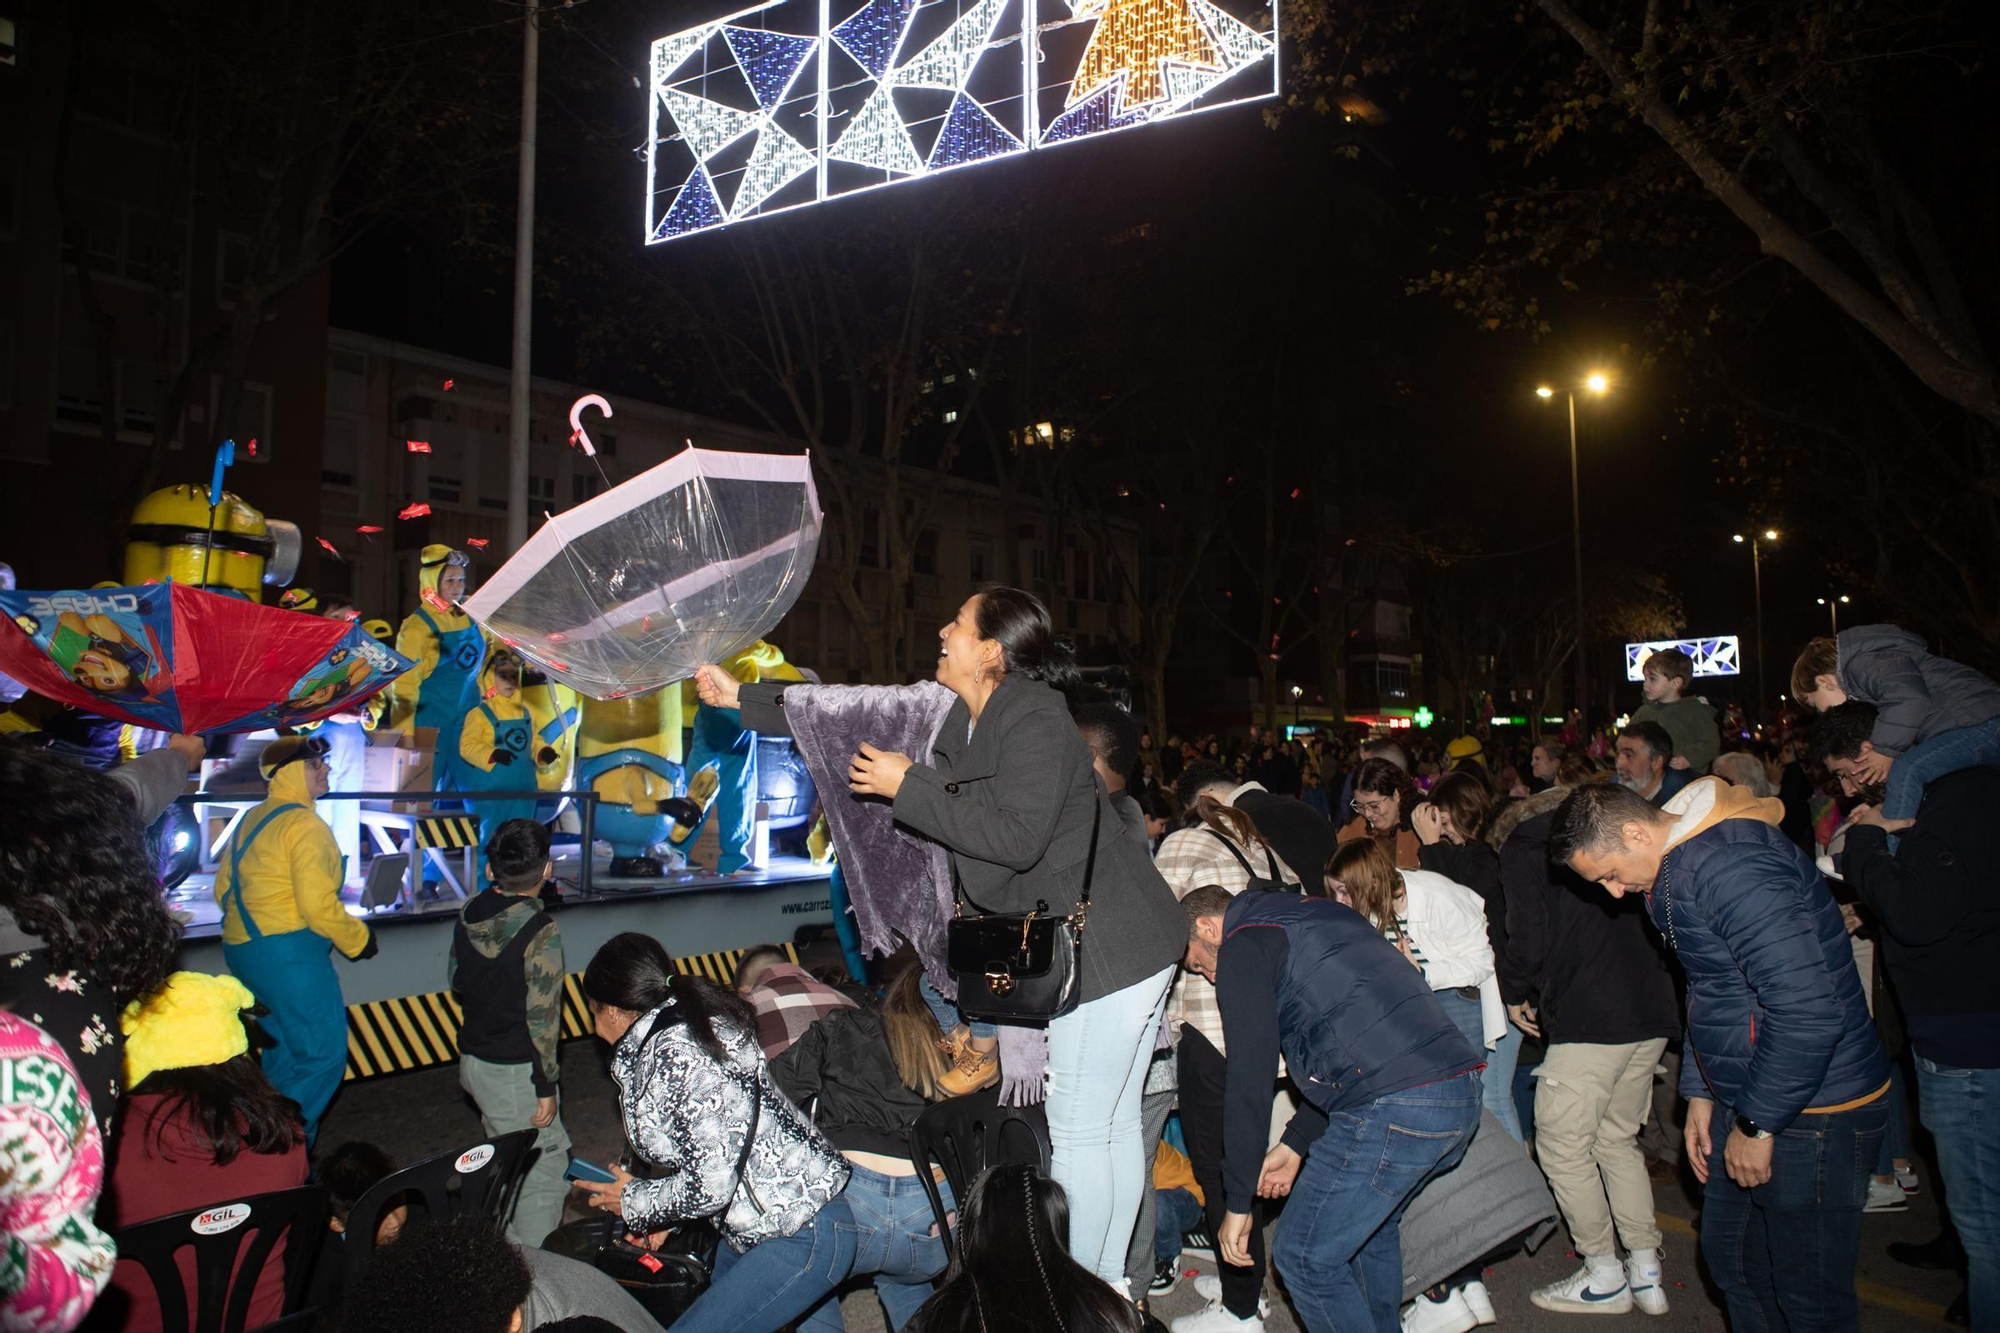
(449, 651)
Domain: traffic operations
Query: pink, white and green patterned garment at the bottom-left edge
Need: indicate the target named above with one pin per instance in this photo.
(55, 1260)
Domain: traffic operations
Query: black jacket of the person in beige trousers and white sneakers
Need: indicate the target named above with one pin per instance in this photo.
(1587, 960)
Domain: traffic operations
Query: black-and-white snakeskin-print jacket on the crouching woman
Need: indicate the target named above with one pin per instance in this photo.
(689, 1116)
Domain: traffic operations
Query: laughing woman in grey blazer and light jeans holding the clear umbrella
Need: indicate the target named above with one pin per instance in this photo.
(1011, 794)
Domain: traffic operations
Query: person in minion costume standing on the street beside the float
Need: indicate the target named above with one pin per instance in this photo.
(279, 890)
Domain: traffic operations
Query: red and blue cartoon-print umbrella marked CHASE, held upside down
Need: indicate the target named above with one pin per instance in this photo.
(175, 657)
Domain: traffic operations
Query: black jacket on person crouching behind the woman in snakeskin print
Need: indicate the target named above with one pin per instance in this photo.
(845, 1062)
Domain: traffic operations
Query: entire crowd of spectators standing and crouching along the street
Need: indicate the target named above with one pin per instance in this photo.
(1311, 976)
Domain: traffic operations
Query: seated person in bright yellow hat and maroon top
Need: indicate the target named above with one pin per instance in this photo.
(203, 1126)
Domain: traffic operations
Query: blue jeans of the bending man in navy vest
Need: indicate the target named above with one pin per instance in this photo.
(1339, 1246)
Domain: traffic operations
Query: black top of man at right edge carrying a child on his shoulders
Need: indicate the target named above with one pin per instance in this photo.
(1941, 918)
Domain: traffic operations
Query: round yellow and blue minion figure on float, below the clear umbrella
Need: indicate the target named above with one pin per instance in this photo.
(629, 754)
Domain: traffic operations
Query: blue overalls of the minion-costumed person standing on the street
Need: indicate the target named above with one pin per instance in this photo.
(293, 976)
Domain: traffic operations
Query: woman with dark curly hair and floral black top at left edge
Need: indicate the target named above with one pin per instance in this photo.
(89, 926)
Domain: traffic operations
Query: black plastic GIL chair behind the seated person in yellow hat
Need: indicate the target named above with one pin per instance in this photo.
(227, 1236)
